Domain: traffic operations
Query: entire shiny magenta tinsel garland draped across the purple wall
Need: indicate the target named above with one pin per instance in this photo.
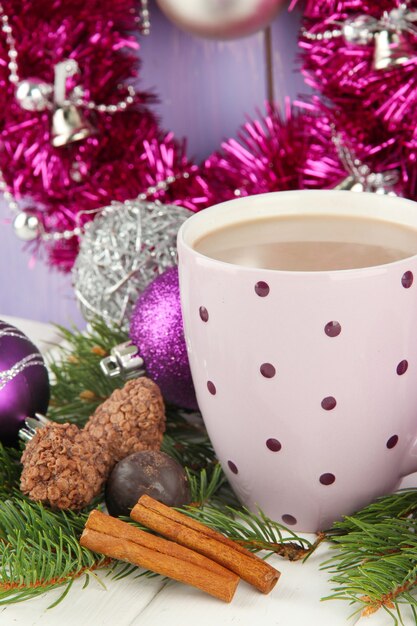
(371, 111)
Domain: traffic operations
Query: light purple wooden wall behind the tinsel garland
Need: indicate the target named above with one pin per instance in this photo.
(205, 88)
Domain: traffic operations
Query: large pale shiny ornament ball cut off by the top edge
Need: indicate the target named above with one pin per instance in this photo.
(221, 19)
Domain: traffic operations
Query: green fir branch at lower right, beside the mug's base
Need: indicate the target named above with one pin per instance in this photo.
(375, 565)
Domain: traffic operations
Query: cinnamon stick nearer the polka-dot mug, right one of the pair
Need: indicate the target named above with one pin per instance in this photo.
(194, 535)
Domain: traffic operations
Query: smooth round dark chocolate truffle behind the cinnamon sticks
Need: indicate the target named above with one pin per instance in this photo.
(147, 472)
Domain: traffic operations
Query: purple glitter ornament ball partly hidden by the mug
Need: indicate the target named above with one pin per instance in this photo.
(156, 328)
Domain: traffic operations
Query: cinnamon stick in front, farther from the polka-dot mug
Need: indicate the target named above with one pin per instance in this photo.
(119, 540)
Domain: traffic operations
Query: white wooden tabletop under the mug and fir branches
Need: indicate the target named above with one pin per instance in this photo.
(295, 601)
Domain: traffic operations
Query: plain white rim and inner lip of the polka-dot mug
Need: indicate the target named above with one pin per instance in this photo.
(402, 211)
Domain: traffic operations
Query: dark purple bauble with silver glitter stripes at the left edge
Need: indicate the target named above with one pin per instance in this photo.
(24, 383)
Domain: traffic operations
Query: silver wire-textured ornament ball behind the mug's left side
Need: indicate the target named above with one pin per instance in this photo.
(126, 246)
